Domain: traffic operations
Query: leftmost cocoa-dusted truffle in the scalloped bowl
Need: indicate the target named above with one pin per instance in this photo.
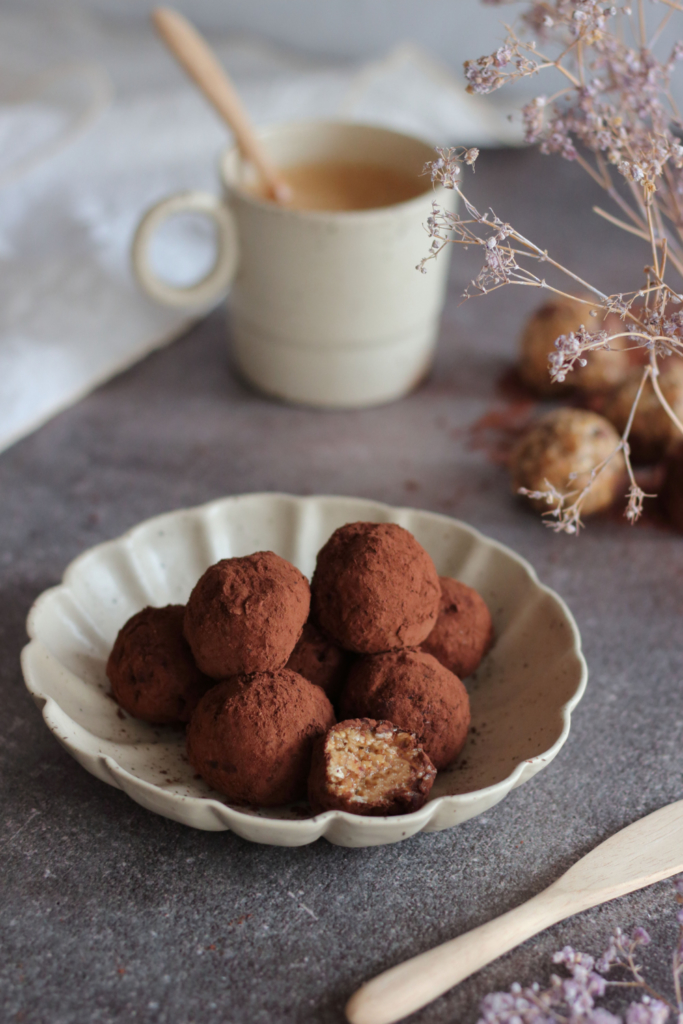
(151, 668)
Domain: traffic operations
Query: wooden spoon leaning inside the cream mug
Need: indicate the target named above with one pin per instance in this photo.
(201, 64)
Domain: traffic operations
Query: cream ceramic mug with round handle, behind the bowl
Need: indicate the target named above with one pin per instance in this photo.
(328, 309)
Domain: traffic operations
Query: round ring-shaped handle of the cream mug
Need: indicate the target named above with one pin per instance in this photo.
(210, 288)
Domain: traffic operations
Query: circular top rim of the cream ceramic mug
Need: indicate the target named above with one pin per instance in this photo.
(234, 192)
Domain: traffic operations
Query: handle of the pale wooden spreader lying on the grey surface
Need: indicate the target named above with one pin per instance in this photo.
(408, 987)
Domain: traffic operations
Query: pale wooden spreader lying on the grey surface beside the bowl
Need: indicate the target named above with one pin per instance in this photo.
(645, 852)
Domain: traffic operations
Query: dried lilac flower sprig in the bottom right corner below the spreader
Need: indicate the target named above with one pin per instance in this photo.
(573, 1000)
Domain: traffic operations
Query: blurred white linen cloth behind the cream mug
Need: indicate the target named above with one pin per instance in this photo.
(87, 146)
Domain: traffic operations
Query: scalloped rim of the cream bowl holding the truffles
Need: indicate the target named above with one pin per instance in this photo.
(232, 816)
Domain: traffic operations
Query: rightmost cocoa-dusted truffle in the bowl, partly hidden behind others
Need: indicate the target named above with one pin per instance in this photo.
(464, 631)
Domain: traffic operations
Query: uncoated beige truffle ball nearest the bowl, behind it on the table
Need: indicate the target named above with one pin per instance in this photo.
(564, 443)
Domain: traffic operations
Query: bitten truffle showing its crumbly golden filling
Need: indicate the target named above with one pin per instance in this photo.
(369, 767)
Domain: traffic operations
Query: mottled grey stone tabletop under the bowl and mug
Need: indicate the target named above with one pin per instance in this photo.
(110, 914)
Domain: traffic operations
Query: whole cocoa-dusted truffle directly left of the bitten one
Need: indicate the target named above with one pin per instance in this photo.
(251, 737)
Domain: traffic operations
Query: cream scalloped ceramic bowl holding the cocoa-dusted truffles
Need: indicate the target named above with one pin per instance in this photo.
(522, 696)
